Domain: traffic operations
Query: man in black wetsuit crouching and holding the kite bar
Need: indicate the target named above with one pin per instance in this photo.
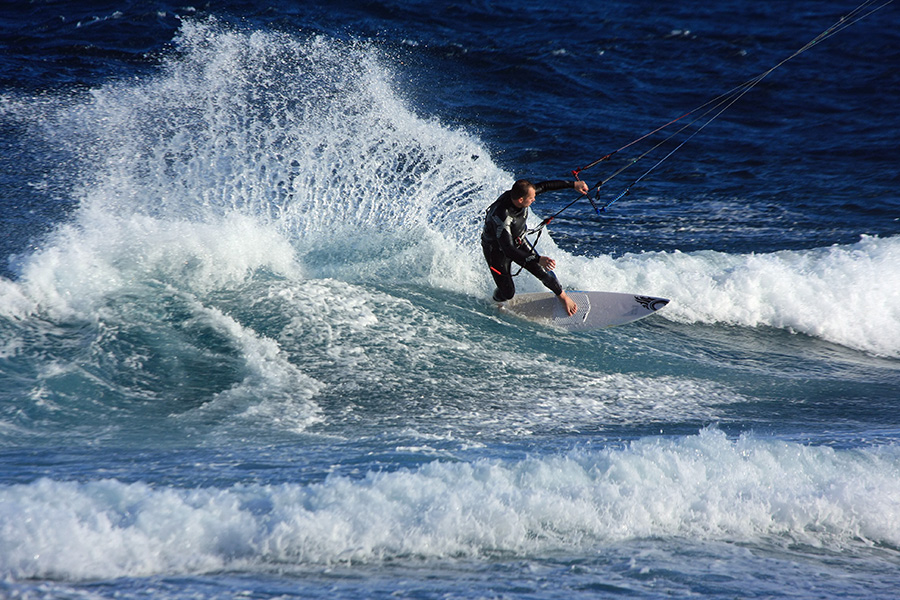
(503, 240)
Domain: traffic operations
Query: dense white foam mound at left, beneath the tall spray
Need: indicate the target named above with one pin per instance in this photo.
(83, 264)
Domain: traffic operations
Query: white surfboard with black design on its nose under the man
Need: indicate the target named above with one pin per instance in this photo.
(596, 310)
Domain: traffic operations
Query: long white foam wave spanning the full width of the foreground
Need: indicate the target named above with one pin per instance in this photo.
(703, 487)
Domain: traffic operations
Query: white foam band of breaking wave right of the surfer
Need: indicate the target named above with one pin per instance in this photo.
(846, 294)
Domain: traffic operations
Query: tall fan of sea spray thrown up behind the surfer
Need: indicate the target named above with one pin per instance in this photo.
(307, 138)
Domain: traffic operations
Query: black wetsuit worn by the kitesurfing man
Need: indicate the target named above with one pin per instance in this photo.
(503, 241)
